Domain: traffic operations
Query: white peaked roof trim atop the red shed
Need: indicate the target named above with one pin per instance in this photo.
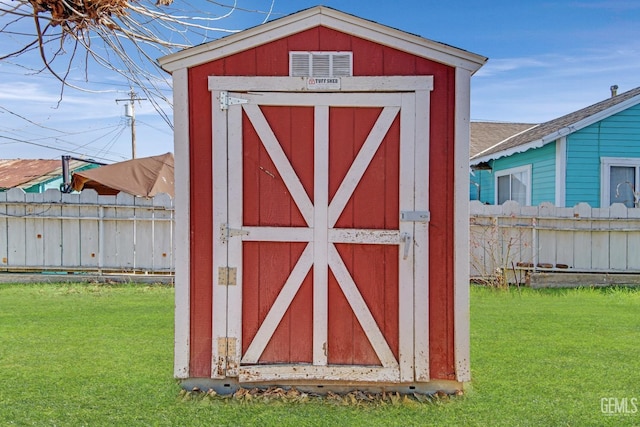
(329, 18)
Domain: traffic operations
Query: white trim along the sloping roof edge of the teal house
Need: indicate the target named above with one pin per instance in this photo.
(567, 130)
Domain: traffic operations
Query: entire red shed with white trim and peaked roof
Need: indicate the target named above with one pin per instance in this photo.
(321, 207)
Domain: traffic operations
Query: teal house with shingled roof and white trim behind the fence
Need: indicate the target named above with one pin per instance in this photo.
(591, 155)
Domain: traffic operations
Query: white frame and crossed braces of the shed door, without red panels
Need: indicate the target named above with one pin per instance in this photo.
(406, 98)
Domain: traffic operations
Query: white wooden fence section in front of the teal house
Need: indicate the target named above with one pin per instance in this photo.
(548, 238)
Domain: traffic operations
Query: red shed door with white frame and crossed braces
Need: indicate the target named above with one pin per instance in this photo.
(320, 210)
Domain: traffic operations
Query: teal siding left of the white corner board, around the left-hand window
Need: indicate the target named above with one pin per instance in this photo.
(543, 164)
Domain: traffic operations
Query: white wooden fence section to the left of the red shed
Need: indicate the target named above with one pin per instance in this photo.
(85, 232)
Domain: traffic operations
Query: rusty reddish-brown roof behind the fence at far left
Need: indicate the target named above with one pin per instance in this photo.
(25, 173)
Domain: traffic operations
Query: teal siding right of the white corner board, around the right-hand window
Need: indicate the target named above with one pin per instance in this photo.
(615, 136)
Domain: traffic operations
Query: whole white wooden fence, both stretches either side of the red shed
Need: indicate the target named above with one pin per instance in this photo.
(91, 233)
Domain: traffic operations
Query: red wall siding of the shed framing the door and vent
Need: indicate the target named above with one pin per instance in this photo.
(370, 59)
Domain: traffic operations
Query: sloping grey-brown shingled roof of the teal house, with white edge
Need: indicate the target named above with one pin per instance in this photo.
(545, 133)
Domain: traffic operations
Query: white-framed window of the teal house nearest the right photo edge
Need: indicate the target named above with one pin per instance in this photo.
(620, 181)
